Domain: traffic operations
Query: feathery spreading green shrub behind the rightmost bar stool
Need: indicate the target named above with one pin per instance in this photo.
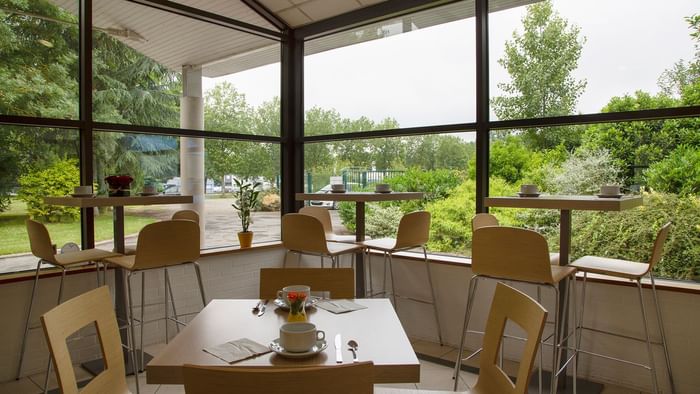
(630, 234)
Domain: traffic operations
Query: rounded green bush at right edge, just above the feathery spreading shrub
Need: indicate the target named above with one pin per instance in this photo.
(679, 173)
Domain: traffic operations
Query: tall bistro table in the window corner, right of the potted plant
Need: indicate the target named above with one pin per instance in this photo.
(360, 198)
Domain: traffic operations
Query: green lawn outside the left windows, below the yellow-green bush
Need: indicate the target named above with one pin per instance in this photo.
(13, 232)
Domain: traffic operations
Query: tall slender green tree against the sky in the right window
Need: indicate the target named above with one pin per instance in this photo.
(540, 61)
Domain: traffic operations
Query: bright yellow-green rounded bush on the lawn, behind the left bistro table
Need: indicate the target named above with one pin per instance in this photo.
(57, 180)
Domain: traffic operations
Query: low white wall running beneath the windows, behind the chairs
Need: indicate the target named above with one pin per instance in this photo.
(236, 275)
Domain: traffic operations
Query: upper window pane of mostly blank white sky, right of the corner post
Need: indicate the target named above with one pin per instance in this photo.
(417, 70)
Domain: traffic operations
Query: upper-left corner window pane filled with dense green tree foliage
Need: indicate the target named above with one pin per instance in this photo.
(38, 60)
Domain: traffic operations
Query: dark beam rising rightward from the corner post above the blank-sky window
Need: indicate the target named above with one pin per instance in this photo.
(367, 15)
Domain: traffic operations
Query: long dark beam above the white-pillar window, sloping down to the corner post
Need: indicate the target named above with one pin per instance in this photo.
(210, 17)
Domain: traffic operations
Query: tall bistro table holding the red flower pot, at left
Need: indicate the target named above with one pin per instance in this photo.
(118, 203)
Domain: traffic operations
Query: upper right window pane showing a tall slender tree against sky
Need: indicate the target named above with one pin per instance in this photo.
(568, 57)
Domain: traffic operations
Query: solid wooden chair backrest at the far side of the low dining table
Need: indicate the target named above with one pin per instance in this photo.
(340, 282)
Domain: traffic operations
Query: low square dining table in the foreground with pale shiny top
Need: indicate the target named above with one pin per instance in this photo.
(376, 329)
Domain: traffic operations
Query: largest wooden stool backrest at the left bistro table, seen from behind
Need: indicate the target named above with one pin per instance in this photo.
(169, 242)
